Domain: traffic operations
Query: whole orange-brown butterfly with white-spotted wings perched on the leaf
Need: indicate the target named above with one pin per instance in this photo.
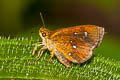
(74, 44)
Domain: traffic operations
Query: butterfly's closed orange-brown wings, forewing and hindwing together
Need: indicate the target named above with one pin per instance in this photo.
(77, 43)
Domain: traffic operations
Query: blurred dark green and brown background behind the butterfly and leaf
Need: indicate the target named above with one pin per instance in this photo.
(22, 16)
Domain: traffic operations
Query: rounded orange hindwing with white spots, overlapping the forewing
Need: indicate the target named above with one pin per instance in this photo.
(77, 51)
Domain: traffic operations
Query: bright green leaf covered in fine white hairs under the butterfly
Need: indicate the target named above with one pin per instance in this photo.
(16, 62)
